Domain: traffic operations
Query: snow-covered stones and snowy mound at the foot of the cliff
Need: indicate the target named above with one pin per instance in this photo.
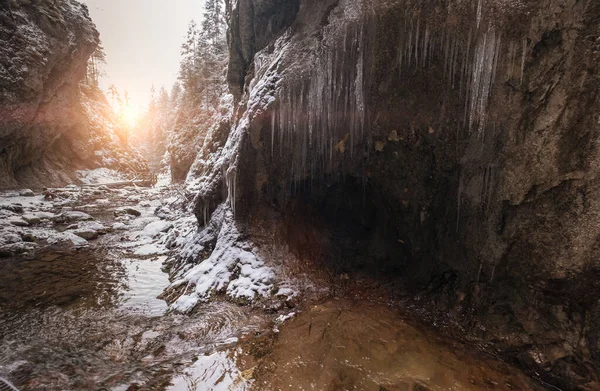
(140, 223)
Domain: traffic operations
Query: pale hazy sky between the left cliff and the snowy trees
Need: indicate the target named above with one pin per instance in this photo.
(142, 40)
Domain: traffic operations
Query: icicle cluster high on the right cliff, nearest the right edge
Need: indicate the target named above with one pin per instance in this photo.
(470, 62)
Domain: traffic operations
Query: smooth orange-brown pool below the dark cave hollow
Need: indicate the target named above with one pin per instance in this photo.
(359, 345)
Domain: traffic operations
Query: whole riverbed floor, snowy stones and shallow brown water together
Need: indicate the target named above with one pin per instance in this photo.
(82, 276)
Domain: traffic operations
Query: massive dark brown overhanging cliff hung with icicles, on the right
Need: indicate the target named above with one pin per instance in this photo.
(455, 143)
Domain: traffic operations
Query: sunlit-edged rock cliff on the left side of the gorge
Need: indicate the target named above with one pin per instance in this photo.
(48, 126)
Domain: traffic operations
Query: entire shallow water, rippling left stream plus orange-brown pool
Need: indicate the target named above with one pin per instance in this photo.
(91, 319)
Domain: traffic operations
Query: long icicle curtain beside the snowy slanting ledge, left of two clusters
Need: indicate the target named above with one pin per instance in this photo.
(322, 115)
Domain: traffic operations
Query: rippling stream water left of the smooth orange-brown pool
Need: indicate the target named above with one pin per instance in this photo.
(89, 321)
